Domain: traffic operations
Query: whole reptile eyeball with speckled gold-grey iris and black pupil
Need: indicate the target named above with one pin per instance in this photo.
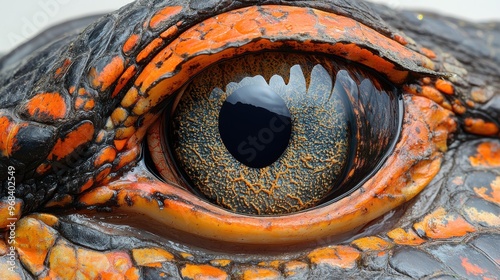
(344, 121)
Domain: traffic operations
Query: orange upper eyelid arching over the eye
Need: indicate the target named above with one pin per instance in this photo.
(254, 29)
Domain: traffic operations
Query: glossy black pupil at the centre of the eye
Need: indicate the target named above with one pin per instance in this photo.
(255, 125)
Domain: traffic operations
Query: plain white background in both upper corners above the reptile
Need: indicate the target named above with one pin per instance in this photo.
(23, 19)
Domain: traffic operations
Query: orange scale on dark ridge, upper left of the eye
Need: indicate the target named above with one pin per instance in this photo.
(103, 78)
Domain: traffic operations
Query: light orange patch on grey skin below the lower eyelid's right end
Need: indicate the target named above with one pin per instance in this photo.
(440, 225)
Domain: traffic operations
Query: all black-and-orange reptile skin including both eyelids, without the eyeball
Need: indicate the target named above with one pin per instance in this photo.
(74, 115)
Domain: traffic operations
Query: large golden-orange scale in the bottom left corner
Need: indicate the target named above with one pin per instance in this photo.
(34, 239)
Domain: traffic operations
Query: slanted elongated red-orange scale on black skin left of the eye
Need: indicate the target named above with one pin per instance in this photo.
(80, 135)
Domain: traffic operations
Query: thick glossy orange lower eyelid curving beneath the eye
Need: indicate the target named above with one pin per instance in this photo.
(415, 161)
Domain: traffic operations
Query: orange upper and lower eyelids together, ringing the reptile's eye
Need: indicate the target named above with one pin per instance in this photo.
(415, 161)
